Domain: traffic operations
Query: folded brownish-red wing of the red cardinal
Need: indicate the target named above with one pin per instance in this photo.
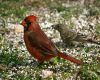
(40, 41)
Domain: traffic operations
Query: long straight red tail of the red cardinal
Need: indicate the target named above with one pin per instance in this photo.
(72, 59)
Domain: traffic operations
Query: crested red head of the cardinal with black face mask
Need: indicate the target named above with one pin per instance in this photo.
(28, 21)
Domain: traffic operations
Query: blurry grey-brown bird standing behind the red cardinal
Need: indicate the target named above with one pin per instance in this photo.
(69, 36)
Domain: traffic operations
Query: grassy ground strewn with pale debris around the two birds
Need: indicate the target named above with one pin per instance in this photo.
(17, 64)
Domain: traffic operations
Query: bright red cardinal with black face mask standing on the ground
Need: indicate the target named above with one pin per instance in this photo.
(38, 44)
